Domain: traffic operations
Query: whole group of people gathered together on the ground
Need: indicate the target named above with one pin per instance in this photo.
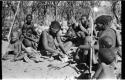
(103, 40)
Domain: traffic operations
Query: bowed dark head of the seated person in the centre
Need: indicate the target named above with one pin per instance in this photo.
(55, 27)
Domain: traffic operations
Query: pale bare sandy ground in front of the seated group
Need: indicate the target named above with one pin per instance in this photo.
(41, 70)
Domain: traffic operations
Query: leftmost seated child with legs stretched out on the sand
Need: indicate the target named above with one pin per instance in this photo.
(16, 50)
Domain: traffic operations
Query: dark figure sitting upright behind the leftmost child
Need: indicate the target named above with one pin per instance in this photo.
(29, 33)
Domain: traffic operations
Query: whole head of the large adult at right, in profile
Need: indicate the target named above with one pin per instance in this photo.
(103, 22)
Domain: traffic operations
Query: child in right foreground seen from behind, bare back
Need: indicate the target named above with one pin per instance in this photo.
(106, 67)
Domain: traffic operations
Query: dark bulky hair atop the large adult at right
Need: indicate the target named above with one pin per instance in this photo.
(103, 19)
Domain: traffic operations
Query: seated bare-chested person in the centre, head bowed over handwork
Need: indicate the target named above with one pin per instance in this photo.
(50, 42)
